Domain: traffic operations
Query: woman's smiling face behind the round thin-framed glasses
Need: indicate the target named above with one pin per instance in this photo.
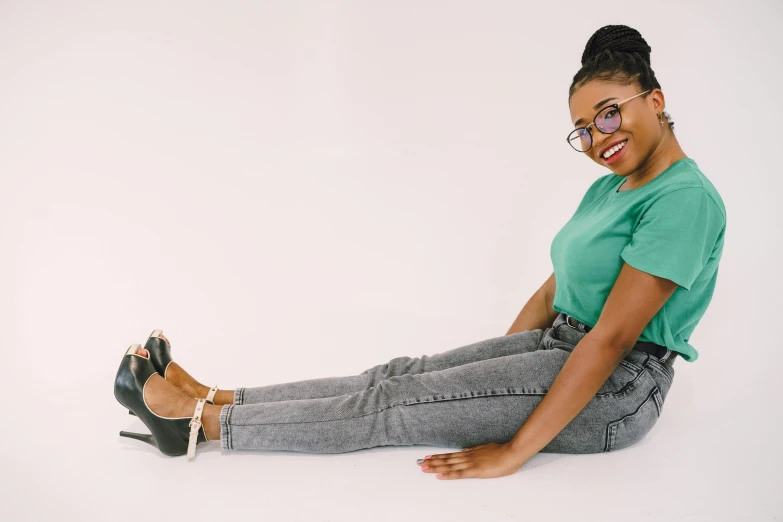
(640, 125)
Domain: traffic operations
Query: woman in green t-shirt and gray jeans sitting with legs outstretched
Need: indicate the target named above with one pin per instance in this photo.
(587, 364)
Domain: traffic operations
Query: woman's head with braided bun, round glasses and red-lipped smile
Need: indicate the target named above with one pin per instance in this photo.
(616, 80)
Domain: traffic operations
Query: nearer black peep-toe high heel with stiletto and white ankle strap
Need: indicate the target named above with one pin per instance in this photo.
(169, 434)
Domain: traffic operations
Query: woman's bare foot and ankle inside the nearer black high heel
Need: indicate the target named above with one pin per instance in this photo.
(166, 400)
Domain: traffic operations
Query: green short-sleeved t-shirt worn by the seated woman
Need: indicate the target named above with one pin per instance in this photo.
(671, 227)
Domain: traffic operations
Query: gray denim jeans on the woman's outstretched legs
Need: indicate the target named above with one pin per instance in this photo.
(478, 393)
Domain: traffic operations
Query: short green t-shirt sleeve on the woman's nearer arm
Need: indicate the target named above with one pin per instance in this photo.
(675, 236)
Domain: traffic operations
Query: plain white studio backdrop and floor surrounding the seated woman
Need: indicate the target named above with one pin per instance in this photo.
(299, 189)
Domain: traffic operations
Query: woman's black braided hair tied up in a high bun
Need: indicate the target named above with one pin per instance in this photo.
(619, 54)
